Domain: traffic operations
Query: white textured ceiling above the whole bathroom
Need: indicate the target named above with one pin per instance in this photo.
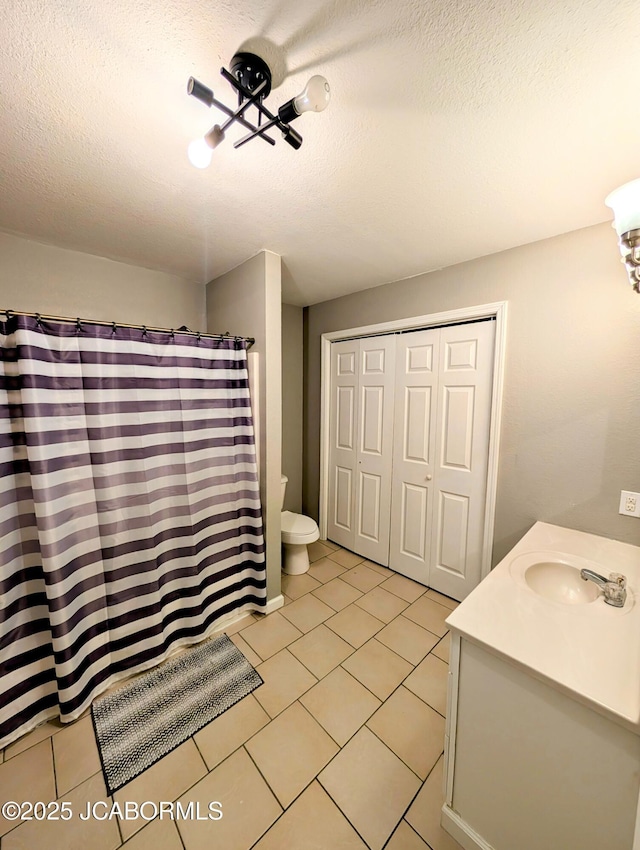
(456, 129)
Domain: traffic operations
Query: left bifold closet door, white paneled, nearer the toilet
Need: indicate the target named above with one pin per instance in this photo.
(361, 440)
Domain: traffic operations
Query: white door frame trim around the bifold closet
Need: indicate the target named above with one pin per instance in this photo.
(497, 311)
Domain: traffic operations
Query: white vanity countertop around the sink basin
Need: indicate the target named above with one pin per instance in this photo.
(590, 651)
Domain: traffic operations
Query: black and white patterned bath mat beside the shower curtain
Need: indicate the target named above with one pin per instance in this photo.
(141, 722)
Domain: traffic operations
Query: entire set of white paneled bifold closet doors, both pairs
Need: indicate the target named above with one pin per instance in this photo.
(408, 458)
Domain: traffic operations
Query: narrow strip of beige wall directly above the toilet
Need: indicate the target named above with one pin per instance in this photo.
(292, 394)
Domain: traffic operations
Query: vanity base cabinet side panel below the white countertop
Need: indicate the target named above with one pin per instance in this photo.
(530, 768)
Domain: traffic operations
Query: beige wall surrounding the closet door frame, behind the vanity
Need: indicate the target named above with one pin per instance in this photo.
(571, 405)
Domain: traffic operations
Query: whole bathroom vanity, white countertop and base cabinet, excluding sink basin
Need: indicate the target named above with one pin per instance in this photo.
(542, 741)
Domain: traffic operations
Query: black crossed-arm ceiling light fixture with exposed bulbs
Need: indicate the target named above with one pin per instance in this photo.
(250, 76)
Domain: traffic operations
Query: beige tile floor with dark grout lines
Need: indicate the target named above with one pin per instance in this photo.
(340, 748)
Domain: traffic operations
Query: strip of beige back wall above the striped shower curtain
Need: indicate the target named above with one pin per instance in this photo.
(38, 278)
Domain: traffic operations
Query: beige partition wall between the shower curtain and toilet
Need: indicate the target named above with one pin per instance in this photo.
(247, 301)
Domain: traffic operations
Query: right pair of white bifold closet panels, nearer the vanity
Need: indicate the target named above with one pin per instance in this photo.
(444, 383)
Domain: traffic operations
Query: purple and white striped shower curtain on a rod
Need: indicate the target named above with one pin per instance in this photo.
(130, 519)
